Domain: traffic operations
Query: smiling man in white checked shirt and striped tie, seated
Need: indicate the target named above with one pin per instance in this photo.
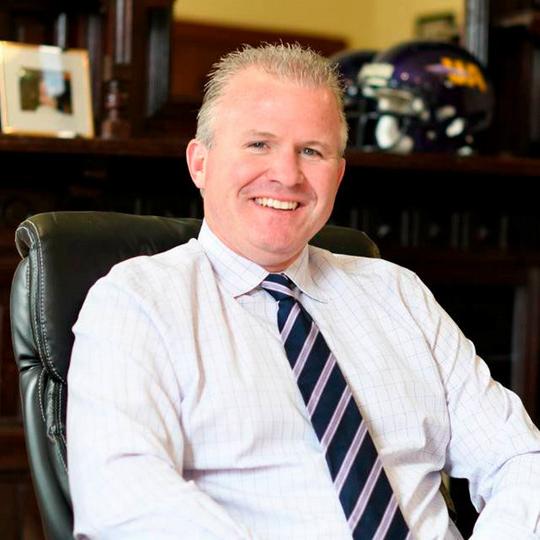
(185, 419)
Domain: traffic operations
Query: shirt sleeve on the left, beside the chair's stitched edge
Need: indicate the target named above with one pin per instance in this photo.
(125, 439)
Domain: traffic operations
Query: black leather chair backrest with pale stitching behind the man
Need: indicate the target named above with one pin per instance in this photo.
(64, 254)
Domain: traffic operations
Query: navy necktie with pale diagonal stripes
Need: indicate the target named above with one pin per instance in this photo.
(365, 494)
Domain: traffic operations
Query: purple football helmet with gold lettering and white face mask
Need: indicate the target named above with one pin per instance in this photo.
(423, 96)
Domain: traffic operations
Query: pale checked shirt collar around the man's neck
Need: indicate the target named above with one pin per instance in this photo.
(239, 275)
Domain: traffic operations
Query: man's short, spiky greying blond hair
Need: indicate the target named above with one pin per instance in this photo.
(285, 61)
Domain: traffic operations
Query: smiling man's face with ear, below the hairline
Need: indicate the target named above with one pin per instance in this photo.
(271, 176)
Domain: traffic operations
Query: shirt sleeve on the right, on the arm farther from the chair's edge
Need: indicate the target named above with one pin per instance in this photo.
(493, 442)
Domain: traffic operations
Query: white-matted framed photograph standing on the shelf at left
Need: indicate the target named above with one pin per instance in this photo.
(45, 91)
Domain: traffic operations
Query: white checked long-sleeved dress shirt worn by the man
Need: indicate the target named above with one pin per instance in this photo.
(185, 420)
